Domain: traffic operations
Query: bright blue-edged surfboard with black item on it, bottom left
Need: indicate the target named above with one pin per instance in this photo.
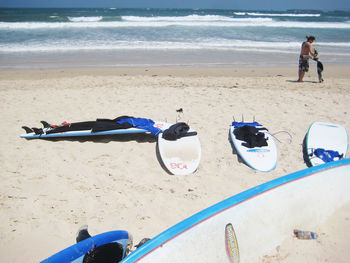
(76, 252)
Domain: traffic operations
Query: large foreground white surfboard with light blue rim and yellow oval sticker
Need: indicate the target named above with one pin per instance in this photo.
(248, 225)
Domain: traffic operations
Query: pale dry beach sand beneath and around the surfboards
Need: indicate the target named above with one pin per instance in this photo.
(49, 188)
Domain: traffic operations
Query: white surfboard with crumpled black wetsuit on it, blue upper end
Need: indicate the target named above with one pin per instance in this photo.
(263, 158)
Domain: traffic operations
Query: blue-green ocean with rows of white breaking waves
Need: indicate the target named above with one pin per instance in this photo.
(45, 37)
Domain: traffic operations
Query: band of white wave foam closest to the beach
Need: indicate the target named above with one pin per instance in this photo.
(214, 43)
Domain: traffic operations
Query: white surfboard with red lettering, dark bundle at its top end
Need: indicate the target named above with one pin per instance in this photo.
(181, 156)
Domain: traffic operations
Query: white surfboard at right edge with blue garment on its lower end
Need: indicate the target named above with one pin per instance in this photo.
(325, 136)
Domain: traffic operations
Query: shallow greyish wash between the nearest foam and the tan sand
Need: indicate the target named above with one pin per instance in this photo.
(160, 58)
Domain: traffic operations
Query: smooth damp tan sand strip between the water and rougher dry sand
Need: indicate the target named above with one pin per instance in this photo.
(175, 71)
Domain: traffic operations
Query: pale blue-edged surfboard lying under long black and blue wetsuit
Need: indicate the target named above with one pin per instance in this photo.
(32, 135)
